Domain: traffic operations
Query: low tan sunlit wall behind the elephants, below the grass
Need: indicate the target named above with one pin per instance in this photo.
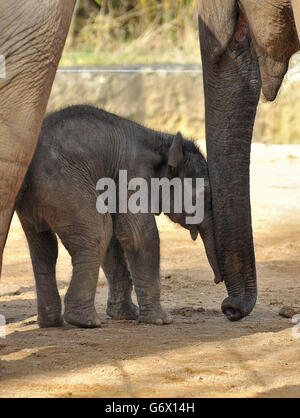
(171, 101)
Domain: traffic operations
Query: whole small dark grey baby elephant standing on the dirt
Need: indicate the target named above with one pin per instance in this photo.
(78, 147)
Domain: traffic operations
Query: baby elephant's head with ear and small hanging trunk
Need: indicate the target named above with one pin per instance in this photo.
(187, 170)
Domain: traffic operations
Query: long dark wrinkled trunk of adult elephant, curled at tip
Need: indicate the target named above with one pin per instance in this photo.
(232, 88)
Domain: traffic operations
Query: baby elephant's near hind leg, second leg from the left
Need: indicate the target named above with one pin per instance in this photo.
(87, 244)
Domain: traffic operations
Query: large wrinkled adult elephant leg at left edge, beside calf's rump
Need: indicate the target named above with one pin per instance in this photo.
(32, 36)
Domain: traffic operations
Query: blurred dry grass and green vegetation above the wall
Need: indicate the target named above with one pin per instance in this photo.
(106, 32)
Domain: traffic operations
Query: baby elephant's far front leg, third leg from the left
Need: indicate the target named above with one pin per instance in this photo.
(119, 303)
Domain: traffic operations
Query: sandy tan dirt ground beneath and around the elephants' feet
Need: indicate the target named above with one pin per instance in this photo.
(201, 354)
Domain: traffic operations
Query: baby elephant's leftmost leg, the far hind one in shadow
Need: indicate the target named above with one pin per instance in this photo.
(43, 251)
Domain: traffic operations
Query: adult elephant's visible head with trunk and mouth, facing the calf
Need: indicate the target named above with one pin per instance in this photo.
(246, 45)
